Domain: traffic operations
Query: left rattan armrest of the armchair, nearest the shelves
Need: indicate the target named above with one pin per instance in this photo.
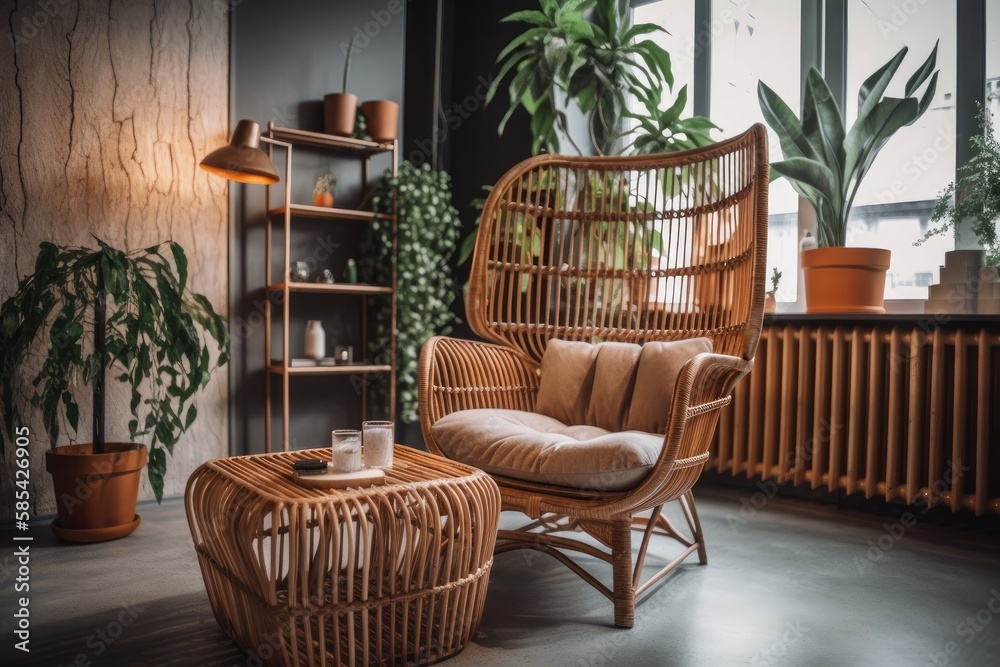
(460, 374)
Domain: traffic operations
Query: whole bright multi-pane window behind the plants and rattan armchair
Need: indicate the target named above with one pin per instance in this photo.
(753, 40)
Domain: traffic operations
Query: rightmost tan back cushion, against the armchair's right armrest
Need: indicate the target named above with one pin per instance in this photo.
(660, 365)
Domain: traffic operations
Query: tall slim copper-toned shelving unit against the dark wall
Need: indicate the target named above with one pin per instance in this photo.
(281, 368)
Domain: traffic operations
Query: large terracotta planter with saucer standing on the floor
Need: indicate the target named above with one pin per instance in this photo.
(96, 493)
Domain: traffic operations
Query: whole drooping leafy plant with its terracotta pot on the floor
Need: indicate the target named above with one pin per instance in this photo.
(152, 335)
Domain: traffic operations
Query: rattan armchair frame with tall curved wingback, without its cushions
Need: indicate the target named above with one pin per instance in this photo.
(631, 249)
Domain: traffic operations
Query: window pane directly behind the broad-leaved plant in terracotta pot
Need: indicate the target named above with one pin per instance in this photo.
(893, 205)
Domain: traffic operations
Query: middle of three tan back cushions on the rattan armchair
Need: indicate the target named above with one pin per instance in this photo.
(613, 379)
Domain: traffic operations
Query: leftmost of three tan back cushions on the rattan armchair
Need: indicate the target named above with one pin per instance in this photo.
(567, 380)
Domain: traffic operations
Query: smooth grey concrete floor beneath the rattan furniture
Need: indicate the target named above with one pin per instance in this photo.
(790, 583)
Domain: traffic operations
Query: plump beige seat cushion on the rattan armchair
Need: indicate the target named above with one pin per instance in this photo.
(538, 448)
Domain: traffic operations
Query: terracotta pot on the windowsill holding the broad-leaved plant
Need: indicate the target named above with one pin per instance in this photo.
(845, 280)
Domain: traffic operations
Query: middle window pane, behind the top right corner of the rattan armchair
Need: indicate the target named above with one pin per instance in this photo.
(759, 40)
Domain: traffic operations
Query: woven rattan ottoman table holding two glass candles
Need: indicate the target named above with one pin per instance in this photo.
(392, 574)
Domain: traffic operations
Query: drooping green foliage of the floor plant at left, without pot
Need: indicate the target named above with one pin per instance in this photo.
(156, 335)
